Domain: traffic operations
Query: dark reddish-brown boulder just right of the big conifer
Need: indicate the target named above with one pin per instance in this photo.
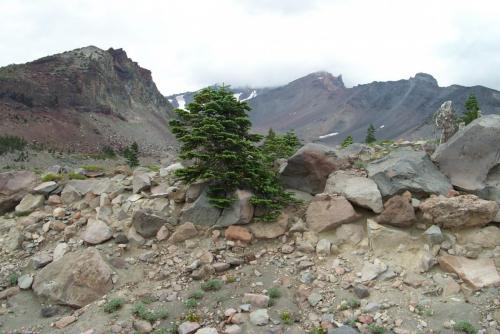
(309, 168)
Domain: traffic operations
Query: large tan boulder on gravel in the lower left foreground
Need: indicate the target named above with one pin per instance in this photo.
(76, 280)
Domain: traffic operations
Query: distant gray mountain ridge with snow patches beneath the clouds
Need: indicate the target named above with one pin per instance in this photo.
(320, 108)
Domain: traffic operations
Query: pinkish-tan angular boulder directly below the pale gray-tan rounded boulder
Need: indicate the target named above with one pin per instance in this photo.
(327, 212)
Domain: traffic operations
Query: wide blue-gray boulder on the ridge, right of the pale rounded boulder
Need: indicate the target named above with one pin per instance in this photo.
(405, 169)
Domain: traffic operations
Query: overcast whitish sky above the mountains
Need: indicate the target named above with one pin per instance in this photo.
(188, 44)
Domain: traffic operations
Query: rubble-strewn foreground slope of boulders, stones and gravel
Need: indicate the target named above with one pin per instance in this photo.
(390, 248)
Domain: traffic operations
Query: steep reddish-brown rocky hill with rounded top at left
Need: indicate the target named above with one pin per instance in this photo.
(82, 100)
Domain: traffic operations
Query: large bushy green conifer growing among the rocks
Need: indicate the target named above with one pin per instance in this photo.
(214, 132)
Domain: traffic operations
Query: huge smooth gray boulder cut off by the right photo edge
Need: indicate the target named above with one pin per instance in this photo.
(471, 157)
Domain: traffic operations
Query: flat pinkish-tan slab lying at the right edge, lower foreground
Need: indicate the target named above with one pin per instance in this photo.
(478, 273)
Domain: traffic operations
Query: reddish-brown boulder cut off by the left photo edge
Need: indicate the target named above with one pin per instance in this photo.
(13, 187)
